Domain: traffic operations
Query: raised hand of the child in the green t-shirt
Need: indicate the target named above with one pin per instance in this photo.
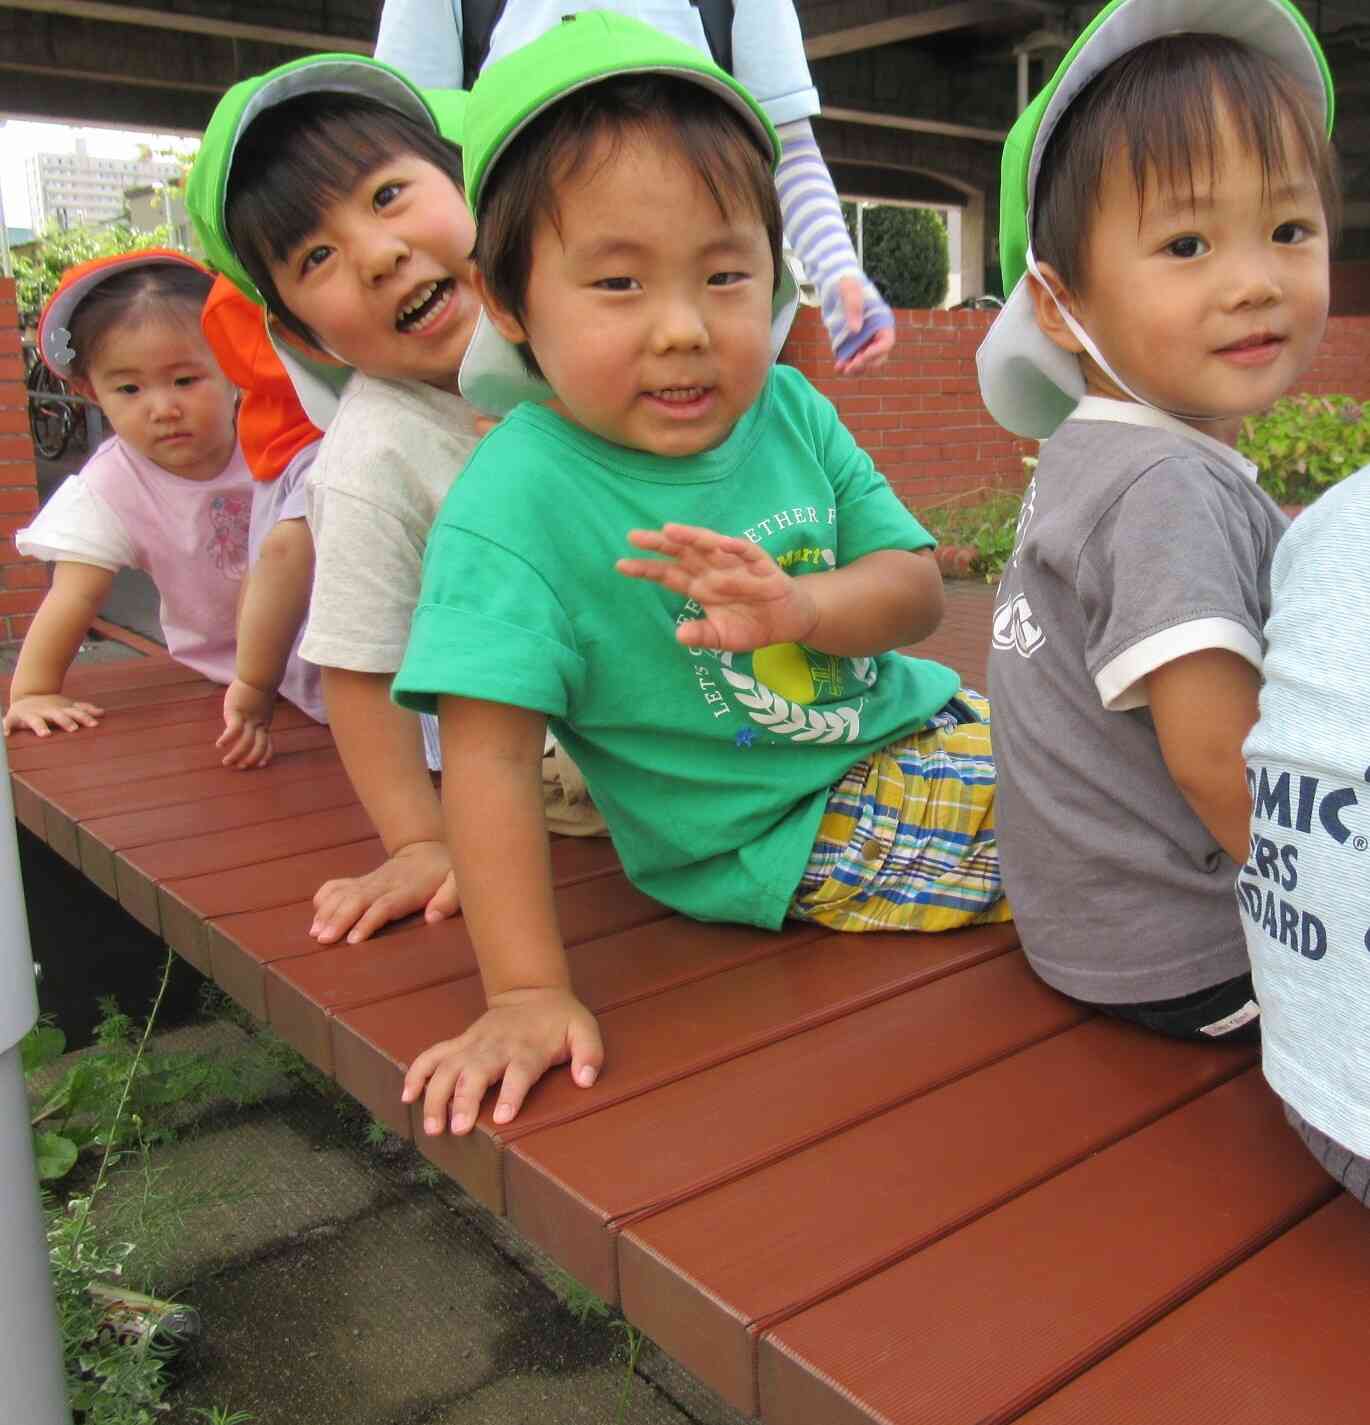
(749, 601)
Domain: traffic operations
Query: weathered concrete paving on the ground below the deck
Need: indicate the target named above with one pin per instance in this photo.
(337, 1283)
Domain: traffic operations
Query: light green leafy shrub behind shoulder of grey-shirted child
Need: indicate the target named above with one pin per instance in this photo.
(1302, 445)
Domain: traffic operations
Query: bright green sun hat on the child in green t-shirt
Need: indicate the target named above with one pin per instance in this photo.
(511, 93)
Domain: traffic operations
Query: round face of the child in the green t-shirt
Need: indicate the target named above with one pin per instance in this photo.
(649, 310)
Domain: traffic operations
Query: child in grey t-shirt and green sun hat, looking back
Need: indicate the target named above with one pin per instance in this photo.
(1167, 223)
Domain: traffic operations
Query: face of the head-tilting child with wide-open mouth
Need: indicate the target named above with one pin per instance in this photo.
(384, 280)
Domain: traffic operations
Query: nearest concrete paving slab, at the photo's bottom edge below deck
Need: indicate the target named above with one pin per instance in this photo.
(401, 1316)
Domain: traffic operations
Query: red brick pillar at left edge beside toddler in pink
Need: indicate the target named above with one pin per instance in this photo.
(24, 582)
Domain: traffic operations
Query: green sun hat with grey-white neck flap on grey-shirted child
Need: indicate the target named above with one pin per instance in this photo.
(1029, 384)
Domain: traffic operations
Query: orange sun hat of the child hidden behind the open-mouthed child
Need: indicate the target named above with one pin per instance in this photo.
(273, 427)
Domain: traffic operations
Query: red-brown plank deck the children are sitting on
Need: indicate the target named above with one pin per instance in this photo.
(840, 1179)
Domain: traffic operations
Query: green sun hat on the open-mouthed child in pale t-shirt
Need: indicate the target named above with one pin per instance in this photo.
(317, 384)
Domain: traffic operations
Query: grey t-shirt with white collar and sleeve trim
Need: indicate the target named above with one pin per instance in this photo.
(1141, 542)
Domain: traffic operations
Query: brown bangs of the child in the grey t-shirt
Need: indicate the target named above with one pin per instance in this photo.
(1174, 95)
